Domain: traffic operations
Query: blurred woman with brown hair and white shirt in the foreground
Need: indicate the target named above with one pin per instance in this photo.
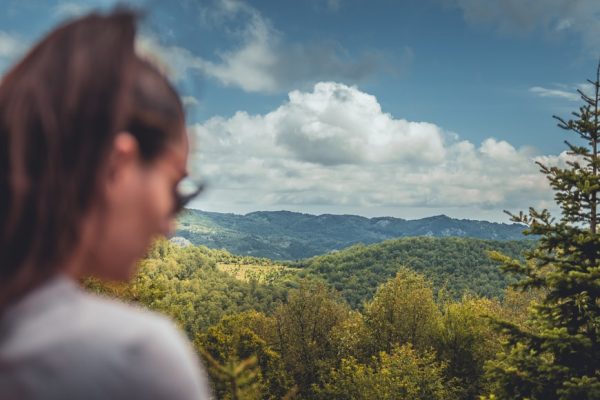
(92, 150)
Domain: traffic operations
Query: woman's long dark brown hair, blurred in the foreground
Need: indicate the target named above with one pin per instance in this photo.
(60, 109)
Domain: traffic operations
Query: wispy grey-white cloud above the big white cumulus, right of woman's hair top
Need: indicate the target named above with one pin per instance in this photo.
(262, 60)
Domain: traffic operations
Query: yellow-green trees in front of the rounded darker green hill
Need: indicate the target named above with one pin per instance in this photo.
(299, 338)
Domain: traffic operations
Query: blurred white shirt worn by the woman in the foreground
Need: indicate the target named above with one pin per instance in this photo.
(59, 342)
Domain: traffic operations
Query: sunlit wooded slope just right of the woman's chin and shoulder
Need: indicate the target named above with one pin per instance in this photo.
(185, 283)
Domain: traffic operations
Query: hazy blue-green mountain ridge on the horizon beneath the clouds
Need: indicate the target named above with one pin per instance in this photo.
(286, 235)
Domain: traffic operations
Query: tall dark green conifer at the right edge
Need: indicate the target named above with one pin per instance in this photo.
(558, 355)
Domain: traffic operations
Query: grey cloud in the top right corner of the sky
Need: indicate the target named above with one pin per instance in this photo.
(580, 17)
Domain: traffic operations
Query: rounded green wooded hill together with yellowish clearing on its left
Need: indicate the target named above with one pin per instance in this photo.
(456, 265)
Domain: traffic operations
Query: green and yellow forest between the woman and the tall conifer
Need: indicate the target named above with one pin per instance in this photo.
(277, 330)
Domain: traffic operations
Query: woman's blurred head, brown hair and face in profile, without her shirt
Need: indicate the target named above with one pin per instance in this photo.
(92, 143)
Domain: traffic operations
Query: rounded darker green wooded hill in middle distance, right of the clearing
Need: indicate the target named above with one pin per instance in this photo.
(460, 265)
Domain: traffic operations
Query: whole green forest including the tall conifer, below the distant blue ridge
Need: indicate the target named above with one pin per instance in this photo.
(409, 318)
